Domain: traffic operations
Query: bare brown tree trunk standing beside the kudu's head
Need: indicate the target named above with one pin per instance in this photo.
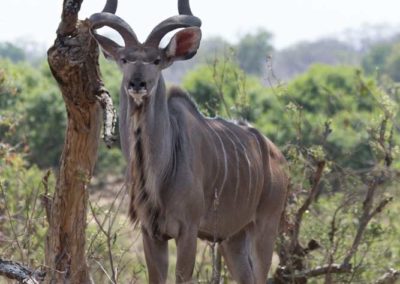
(73, 60)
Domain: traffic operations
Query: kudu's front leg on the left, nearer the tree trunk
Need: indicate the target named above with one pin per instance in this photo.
(156, 254)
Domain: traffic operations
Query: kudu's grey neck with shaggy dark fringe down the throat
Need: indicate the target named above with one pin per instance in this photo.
(153, 156)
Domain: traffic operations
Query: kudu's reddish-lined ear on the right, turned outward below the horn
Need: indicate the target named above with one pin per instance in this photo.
(184, 44)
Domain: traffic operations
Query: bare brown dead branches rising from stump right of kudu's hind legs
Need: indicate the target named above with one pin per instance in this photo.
(293, 255)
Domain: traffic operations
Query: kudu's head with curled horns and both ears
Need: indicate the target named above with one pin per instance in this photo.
(142, 63)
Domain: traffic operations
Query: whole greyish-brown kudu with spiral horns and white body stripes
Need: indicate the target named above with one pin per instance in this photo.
(191, 176)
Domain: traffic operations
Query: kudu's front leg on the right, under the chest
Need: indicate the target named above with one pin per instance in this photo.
(186, 254)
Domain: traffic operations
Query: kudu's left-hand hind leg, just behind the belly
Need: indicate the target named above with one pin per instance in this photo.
(237, 254)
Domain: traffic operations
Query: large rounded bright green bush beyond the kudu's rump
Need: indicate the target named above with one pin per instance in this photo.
(325, 99)
